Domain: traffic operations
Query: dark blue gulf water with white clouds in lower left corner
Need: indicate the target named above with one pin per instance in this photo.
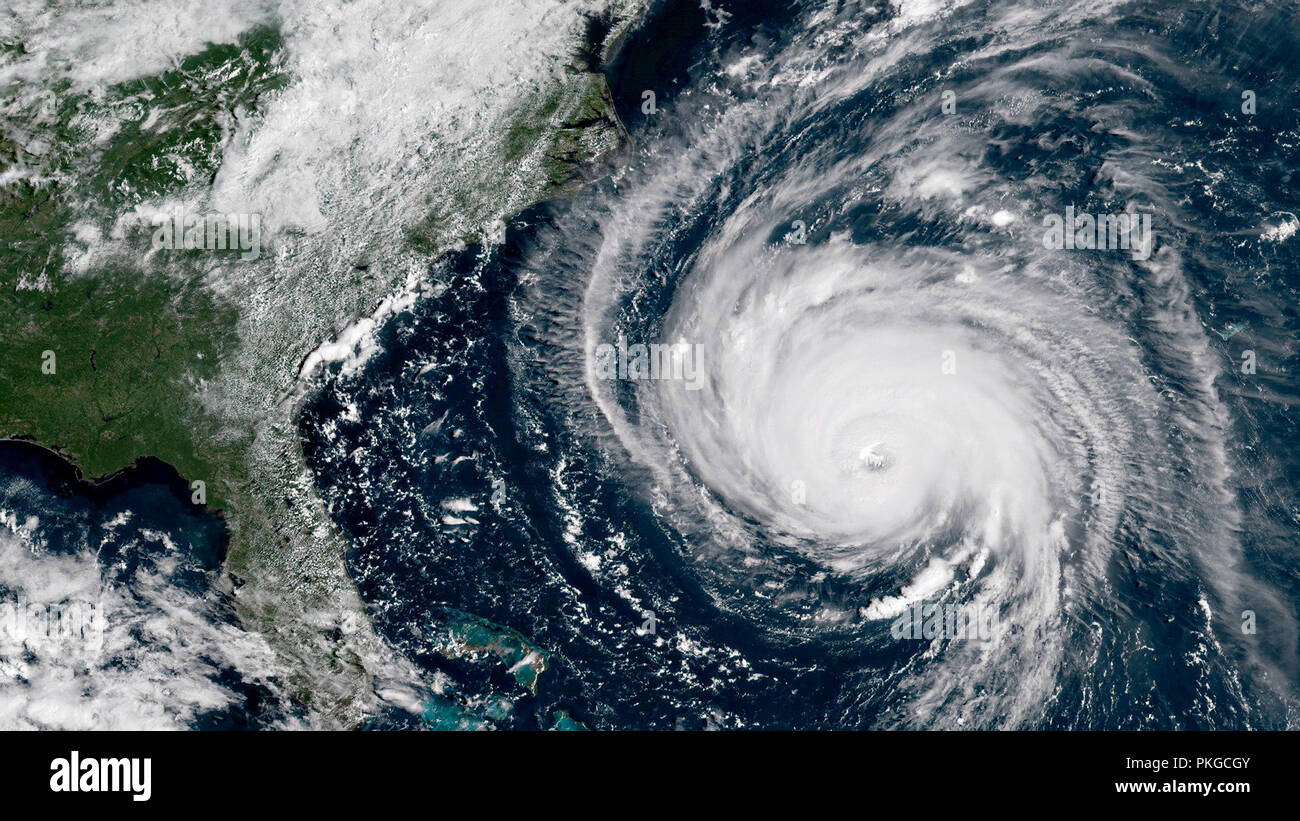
(150, 562)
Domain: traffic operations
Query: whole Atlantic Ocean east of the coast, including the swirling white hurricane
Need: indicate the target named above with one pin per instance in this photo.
(889, 312)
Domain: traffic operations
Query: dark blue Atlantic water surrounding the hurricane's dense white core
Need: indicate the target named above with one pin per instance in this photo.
(474, 479)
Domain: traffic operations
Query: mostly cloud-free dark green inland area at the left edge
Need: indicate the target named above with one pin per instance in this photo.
(133, 344)
